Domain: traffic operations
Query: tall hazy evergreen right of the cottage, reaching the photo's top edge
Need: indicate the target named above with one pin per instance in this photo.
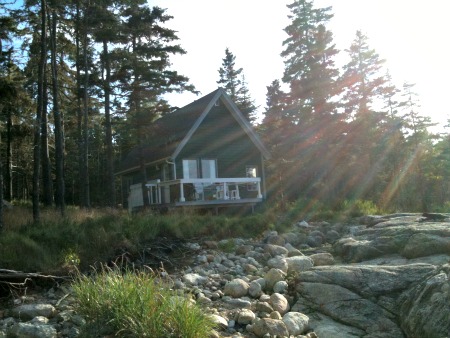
(312, 77)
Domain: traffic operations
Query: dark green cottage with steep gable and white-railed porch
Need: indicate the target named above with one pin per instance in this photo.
(205, 154)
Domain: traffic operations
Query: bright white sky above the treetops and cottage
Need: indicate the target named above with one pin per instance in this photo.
(411, 35)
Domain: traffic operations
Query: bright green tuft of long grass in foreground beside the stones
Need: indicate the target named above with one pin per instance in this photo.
(136, 304)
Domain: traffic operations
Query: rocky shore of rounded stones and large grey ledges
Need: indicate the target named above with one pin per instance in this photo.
(383, 276)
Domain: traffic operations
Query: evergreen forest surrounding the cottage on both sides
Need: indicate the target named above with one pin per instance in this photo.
(81, 81)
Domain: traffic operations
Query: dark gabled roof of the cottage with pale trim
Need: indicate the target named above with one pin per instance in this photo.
(173, 131)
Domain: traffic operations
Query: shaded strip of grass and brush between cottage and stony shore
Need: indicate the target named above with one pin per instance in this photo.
(82, 239)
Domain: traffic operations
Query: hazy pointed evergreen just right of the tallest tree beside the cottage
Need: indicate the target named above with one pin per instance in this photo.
(365, 86)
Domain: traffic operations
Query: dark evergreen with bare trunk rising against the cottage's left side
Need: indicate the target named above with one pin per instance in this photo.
(144, 73)
